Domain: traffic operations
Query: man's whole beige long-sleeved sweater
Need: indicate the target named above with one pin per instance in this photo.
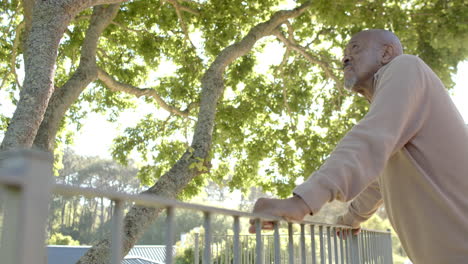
(410, 152)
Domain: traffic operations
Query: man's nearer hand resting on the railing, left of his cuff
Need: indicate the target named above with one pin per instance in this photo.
(291, 209)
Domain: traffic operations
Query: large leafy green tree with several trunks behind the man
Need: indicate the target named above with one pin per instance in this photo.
(229, 118)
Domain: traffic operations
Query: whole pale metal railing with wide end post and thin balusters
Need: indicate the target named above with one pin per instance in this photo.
(26, 180)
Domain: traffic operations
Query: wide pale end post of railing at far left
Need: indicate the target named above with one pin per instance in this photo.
(26, 207)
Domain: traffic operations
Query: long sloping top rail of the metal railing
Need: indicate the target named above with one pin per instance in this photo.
(158, 201)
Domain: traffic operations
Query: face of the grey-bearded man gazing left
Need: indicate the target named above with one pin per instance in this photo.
(360, 62)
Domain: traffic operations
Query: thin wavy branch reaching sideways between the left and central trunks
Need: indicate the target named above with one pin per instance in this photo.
(117, 86)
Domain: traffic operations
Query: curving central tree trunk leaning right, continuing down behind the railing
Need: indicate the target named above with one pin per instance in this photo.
(177, 178)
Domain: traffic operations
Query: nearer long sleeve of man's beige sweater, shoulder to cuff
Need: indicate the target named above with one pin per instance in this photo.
(396, 114)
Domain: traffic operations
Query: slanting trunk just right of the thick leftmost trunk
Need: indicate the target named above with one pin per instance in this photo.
(86, 72)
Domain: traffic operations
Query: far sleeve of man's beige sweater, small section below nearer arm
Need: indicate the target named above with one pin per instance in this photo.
(363, 206)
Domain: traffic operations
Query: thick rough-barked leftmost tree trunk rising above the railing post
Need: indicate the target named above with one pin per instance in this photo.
(49, 23)
